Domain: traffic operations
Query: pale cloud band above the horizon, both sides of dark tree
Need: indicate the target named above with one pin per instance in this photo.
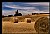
(7, 12)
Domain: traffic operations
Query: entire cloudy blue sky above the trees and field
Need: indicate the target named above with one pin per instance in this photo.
(24, 7)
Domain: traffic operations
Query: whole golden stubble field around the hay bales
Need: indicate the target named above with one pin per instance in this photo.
(22, 27)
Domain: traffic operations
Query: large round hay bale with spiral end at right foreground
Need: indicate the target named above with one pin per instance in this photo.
(41, 25)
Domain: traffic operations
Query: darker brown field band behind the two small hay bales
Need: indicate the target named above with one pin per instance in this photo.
(21, 18)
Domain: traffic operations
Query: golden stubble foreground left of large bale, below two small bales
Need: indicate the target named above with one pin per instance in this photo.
(21, 27)
